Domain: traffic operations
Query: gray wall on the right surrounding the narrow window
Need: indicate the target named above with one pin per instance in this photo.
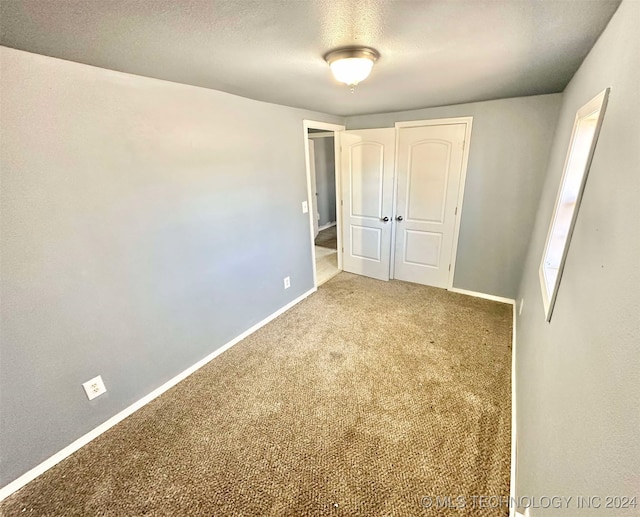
(578, 391)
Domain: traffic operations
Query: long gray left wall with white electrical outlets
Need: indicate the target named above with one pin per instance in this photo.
(144, 224)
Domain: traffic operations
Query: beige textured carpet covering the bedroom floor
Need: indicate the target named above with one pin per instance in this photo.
(361, 400)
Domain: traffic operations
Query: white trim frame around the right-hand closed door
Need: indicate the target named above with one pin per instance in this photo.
(468, 122)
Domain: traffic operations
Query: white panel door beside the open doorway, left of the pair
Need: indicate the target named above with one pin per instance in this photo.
(367, 194)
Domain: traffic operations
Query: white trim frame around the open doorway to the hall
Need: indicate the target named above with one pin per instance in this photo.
(336, 128)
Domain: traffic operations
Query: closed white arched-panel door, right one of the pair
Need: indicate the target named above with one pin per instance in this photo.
(430, 162)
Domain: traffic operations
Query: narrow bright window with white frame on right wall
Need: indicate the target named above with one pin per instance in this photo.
(583, 141)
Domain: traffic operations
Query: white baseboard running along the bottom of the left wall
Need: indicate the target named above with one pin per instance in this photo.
(15, 485)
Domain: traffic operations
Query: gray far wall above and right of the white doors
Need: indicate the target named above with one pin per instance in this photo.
(510, 143)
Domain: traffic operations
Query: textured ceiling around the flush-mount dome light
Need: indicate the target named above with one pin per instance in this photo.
(433, 52)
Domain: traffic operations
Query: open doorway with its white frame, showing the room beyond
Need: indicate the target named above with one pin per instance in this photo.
(323, 182)
